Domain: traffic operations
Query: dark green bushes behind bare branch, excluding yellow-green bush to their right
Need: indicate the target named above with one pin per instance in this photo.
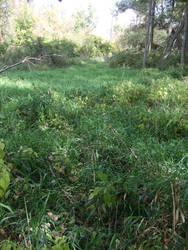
(61, 52)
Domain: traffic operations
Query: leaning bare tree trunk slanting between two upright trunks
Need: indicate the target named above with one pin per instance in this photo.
(171, 41)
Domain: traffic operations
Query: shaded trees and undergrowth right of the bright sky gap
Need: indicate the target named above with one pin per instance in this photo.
(160, 36)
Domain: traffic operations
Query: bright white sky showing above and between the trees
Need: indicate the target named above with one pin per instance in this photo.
(103, 12)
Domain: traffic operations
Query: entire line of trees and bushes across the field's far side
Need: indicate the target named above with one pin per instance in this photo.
(158, 38)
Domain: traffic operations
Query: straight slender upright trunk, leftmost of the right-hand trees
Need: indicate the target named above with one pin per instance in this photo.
(149, 32)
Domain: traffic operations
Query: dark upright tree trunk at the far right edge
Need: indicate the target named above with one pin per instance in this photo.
(185, 37)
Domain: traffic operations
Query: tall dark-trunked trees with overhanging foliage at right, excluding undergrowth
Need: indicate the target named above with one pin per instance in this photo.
(168, 15)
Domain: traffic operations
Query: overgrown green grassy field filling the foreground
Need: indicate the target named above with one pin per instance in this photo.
(98, 158)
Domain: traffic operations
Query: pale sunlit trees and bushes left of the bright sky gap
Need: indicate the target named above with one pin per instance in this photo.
(58, 40)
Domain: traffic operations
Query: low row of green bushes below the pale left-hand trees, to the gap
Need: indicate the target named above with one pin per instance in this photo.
(61, 52)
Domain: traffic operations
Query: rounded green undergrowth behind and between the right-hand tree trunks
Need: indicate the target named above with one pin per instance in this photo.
(130, 50)
